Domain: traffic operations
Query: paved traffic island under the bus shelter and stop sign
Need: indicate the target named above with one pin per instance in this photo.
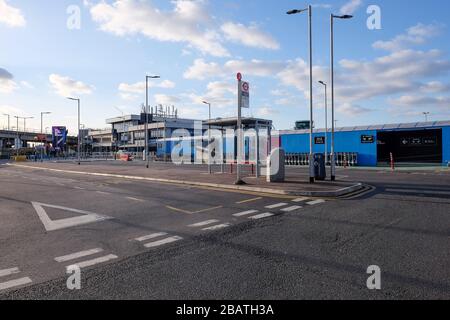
(296, 184)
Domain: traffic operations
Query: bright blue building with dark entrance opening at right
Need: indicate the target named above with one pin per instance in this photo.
(409, 143)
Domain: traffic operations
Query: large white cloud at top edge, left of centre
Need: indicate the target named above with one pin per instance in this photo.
(186, 23)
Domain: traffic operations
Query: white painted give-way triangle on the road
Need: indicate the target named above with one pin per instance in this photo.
(52, 225)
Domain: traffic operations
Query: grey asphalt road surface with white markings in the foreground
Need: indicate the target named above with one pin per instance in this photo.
(140, 240)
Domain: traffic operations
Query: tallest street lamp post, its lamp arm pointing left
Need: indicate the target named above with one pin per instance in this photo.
(311, 115)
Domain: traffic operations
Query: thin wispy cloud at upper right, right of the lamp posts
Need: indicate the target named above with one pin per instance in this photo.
(415, 35)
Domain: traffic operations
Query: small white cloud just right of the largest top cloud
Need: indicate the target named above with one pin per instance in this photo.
(249, 35)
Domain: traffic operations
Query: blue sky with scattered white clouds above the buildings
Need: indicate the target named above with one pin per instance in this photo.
(389, 75)
